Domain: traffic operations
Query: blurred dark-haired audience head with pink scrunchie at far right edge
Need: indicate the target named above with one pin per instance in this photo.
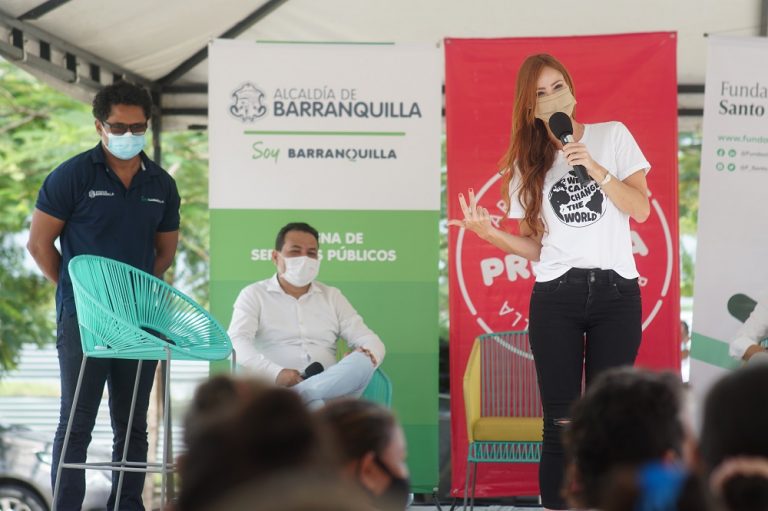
(734, 439)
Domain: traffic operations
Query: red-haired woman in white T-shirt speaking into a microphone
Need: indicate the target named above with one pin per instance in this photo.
(585, 309)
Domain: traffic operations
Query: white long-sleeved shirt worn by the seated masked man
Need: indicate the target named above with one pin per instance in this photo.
(272, 331)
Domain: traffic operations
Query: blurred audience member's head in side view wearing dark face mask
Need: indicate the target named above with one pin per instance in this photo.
(372, 449)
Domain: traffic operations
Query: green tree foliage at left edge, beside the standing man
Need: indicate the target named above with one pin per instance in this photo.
(38, 129)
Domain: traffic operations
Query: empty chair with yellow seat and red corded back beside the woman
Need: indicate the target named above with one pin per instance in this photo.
(502, 404)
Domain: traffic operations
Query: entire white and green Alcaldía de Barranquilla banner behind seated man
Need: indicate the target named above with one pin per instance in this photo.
(345, 137)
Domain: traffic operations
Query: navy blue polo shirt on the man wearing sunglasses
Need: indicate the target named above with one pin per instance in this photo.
(104, 218)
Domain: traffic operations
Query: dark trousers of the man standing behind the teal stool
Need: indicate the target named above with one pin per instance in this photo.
(119, 375)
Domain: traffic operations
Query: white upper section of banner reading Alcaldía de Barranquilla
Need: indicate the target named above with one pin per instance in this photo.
(339, 126)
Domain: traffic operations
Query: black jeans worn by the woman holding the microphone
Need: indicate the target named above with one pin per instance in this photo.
(581, 323)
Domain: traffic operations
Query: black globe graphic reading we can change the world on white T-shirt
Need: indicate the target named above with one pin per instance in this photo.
(576, 205)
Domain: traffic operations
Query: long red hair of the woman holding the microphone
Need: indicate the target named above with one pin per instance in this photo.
(531, 152)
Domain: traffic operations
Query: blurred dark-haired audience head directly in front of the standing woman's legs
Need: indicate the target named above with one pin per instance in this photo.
(626, 419)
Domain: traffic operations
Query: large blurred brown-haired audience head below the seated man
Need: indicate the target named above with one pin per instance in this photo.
(241, 431)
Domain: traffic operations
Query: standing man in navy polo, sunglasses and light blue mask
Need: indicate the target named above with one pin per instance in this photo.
(111, 201)
